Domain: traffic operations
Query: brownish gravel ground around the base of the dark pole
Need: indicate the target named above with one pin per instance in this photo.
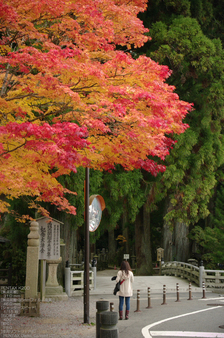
(63, 319)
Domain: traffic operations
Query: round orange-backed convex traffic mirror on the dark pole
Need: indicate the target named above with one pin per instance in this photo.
(96, 206)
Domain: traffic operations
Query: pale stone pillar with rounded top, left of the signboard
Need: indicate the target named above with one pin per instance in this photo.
(32, 261)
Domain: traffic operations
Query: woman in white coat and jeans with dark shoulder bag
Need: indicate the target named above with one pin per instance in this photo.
(126, 277)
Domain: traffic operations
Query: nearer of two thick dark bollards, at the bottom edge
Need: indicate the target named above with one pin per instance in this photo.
(108, 327)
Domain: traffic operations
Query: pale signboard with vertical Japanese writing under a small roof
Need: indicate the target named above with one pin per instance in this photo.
(49, 231)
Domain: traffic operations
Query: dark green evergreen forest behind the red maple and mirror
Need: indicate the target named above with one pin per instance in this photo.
(180, 209)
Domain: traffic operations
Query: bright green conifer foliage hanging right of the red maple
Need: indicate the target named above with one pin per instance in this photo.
(197, 64)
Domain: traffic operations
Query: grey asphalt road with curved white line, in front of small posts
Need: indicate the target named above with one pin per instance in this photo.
(187, 318)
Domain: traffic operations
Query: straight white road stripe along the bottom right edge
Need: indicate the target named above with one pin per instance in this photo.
(186, 334)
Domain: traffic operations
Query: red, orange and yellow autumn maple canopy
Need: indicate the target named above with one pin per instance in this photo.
(72, 95)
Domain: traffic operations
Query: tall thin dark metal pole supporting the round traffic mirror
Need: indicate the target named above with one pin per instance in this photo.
(86, 262)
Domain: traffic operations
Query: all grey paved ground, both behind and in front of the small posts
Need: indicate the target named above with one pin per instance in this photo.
(198, 317)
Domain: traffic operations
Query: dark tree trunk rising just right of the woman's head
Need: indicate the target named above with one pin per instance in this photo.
(143, 242)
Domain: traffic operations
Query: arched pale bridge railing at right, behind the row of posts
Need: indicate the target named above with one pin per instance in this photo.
(194, 274)
